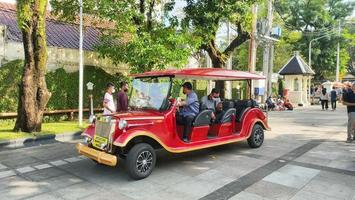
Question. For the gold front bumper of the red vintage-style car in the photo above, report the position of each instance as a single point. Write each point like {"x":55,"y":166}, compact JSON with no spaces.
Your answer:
{"x":99,"y":156}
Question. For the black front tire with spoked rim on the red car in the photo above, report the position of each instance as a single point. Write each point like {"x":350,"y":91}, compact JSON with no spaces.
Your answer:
{"x":140,"y":161}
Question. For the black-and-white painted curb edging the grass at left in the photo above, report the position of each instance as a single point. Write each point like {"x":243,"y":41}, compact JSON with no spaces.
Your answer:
{"x":40,"y":140}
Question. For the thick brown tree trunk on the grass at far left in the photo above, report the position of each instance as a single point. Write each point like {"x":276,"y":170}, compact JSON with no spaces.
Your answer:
{"x":33,"y":91}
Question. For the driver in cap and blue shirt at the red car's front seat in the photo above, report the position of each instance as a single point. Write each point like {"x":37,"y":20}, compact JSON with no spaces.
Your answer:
{"x":189,"y":111}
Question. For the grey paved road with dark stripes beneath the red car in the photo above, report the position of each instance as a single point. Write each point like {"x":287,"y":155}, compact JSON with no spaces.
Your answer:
{"x":303,"y":157}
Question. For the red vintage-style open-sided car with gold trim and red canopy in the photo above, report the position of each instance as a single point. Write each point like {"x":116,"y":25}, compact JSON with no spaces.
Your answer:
{"x":151,"y":122}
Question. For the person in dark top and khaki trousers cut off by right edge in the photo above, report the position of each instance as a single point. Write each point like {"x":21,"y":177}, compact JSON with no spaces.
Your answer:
{"x":349,"y":101}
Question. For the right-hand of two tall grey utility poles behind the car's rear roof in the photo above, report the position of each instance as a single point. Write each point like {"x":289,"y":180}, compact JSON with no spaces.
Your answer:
{"x":267,"y":49}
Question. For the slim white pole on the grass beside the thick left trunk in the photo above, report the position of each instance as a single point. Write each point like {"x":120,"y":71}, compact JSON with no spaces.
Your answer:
{"x":81,"y":66}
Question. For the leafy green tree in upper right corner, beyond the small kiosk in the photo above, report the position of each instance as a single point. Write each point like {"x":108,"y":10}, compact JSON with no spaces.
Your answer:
{"x":313,"y":19}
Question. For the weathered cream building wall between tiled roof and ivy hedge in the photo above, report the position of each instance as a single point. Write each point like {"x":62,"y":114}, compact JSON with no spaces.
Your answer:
{"x":58,"y":57}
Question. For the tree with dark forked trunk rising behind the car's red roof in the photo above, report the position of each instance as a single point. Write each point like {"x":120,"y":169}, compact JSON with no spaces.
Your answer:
{"x":204,"y":18}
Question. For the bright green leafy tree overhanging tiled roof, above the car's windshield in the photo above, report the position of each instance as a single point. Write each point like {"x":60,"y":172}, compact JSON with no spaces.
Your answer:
{"x":144,"y":33}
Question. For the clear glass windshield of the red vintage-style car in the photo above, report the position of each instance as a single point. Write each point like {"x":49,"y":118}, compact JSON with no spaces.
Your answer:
{"x":149,"y":93}
